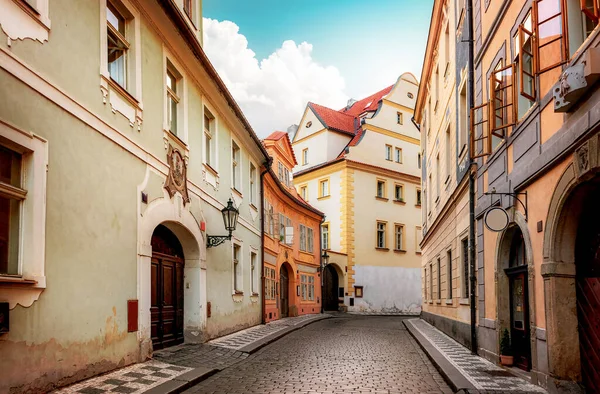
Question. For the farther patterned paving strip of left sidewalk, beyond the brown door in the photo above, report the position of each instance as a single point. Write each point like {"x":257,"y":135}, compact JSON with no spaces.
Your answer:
{"x":245,"y":337}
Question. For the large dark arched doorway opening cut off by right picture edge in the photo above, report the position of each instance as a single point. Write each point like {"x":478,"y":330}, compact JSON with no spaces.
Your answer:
{"x":587,"y":265}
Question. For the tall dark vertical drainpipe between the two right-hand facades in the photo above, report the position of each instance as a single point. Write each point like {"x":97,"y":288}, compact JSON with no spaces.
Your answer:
{"x":472,"y":173}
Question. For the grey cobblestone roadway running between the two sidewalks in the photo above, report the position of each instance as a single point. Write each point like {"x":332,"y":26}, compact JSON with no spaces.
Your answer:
{"x":351,"y":354}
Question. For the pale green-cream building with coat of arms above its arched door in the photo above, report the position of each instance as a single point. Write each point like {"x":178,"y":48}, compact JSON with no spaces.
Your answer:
{"x":120,"y":145}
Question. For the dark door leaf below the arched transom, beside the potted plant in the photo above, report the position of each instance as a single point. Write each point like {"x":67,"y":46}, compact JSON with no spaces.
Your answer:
{"x":519,"y":318}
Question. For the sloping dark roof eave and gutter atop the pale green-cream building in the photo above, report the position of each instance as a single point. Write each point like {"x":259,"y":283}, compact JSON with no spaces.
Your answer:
{"x":176,"y":16}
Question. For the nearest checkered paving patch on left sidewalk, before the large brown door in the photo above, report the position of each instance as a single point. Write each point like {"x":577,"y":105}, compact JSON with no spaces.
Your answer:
{"x":134,"y":379}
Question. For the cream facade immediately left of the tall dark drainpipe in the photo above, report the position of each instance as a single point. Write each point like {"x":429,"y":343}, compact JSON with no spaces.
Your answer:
{"x":442,"y":113}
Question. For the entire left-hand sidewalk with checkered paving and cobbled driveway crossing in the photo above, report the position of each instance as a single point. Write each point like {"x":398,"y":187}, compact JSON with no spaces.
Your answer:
{"x":174,"y":369}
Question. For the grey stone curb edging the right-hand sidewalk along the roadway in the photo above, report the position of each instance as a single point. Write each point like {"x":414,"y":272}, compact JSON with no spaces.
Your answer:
{"x":455,"y":379}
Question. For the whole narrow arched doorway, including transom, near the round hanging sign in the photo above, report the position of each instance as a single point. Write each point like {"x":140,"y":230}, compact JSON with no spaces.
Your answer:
{"x":518,"y":290}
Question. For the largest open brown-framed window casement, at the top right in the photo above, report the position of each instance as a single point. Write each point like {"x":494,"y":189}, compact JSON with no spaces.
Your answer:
{"x":549,"y":28}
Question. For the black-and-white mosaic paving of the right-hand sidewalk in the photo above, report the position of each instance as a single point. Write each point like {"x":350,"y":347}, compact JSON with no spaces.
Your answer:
{"x":484,"y":375}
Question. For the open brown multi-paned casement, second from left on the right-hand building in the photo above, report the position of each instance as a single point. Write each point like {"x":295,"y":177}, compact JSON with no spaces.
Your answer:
{"x":502,"y":100}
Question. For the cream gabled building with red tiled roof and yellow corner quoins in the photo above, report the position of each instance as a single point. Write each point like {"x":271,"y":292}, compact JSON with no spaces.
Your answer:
{"x":360,"y":166}
